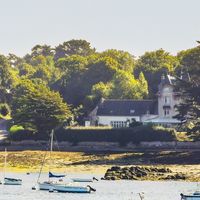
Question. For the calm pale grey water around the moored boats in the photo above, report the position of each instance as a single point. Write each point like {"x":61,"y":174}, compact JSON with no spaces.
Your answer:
{"x":106,"y":190}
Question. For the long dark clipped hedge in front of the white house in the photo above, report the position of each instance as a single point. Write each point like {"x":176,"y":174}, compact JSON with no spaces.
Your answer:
{"x":122,"y":136}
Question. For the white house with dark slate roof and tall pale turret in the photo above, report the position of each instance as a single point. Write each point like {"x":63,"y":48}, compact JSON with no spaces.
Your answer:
{"x":119,"y":113}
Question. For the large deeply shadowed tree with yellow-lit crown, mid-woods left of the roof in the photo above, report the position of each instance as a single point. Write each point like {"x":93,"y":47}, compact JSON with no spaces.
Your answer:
{"x":79,"y":77}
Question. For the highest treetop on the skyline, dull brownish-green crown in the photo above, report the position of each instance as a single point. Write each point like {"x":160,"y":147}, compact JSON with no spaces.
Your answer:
{"x":73,"y":47}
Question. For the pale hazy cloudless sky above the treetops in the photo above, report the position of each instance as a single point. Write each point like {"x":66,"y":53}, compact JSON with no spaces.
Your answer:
{"x":132,"y":25}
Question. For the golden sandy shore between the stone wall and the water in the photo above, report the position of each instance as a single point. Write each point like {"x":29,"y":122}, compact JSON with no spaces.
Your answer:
{"x":97,"y":163}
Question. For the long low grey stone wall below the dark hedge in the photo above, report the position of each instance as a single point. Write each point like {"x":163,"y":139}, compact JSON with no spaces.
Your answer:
{"x":100,"y":146}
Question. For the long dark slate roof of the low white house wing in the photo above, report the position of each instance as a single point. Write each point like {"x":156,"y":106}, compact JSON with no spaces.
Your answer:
{"x":116,"y":107}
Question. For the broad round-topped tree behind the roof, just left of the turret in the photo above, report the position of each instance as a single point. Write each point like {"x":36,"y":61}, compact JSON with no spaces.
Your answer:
{"x":153,"y":65}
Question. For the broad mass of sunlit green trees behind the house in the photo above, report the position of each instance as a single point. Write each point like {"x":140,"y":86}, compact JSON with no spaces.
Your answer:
{"x":49,"y":79}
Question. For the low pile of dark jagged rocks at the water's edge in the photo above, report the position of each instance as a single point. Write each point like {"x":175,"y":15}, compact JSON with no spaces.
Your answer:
{"x":142,"y":173}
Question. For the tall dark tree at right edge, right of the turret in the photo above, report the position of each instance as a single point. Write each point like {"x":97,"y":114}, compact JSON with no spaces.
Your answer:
{"x":189,"y":88}
